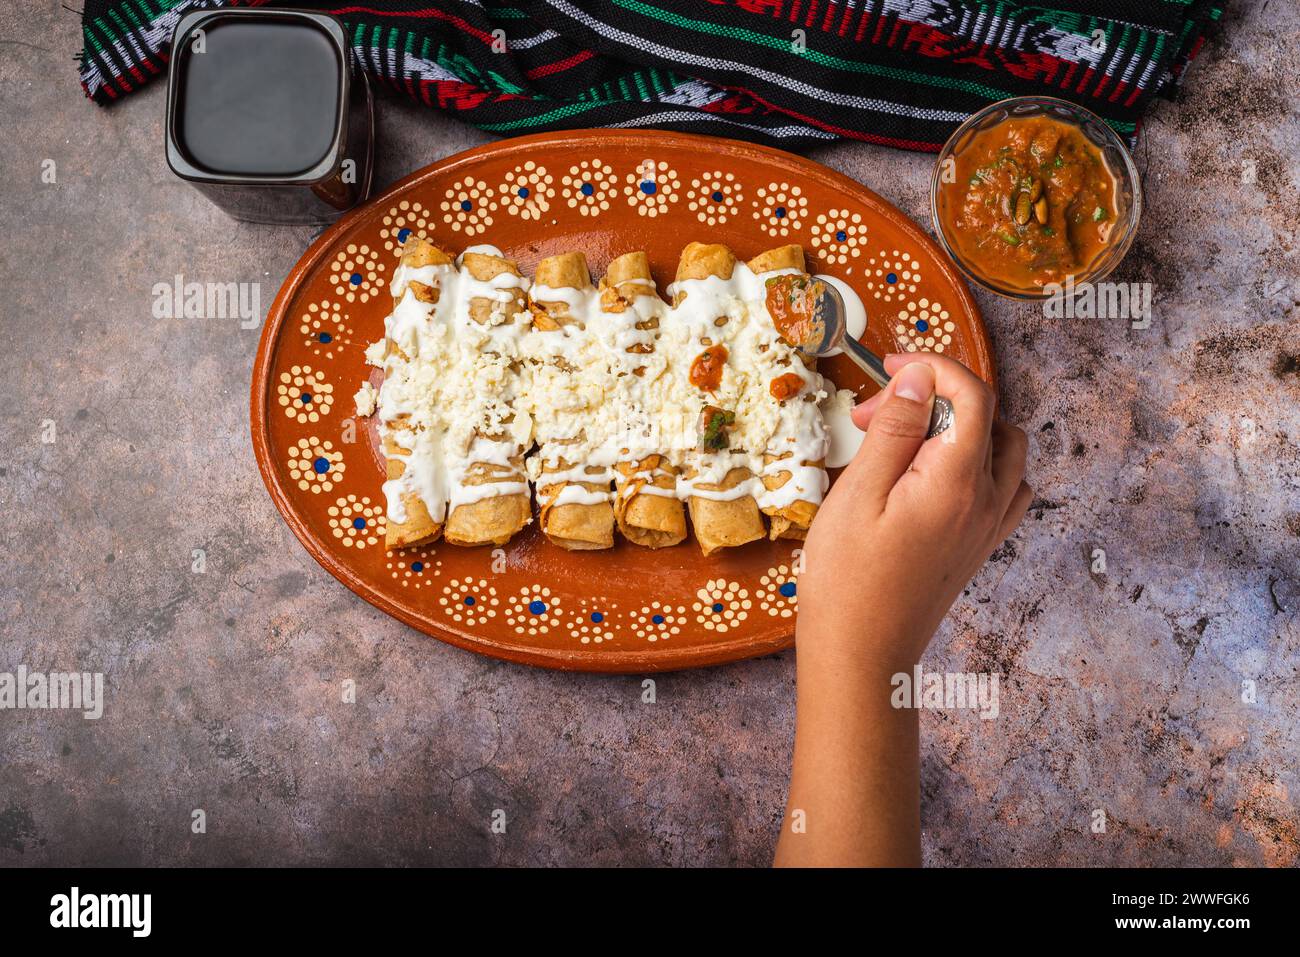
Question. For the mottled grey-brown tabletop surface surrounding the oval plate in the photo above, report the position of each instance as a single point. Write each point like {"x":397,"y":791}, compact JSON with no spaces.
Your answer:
{"x":1175,"y":449}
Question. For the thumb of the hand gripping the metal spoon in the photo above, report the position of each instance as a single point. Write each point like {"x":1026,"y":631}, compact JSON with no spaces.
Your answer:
{"x":899,"y":426}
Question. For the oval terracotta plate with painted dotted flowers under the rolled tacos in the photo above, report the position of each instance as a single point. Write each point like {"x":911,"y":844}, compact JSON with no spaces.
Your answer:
{"x":604,"y":193}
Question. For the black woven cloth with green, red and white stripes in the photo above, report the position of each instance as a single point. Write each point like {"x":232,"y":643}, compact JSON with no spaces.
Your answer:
{"x":904,"y":73}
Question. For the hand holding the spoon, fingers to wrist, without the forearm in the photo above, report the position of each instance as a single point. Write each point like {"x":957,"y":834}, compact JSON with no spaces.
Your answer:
{"x":911,"y":521}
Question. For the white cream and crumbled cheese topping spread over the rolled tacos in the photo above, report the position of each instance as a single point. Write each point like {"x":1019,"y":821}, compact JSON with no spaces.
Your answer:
{"x":584,"y":400}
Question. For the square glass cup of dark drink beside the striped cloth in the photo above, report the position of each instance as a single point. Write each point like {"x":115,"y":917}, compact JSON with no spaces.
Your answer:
{"x":267,"y":118}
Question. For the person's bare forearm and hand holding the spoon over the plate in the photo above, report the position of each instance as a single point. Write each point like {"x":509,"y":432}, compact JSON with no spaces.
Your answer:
{"x":907,"y":526}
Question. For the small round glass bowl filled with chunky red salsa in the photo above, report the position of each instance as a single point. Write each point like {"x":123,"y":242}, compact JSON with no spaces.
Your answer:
{"x":1035,"y":194}
